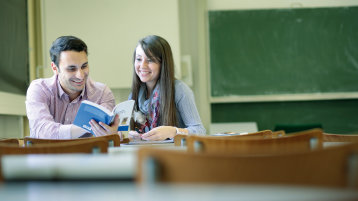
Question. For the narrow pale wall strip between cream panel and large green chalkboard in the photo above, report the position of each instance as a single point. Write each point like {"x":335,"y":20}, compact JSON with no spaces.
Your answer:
{"x":193,"y":40}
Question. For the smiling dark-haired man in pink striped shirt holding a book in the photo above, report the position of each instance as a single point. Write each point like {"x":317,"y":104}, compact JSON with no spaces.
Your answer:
{"x":52,"y":103}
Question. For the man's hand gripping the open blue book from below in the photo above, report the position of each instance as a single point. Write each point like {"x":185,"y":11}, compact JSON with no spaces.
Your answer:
{"x":100,"y":129}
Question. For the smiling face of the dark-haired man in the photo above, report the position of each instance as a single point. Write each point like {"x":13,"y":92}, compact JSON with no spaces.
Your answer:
{"x":72,"y":72}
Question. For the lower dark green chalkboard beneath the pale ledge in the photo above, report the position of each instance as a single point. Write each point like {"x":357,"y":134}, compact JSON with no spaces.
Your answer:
{"x":334,"y":116}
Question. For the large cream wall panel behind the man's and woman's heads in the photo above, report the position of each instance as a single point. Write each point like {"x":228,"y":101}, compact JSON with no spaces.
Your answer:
{"x":111,"y":29}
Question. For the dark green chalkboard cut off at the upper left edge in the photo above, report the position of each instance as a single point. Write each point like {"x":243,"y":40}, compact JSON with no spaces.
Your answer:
{"x":14,"y":46}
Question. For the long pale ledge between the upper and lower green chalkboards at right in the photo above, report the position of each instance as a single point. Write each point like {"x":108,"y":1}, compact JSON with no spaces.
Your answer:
{"x":285,"y":97}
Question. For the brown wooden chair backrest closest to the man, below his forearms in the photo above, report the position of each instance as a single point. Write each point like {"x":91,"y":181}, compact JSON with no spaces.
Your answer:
{"x":113,"y":140}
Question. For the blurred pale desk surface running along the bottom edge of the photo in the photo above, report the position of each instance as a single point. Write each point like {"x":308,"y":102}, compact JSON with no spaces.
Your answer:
{"x":128,"y":191}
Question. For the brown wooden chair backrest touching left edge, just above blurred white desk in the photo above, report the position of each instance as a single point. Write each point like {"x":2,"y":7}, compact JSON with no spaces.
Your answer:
{"x":86,"y":146}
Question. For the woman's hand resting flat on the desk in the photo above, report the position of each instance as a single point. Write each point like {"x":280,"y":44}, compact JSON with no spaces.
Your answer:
{"x":160,"y":133}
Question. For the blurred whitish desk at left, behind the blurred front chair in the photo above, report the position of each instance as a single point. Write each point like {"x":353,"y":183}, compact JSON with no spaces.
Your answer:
{"x":119,"y":164}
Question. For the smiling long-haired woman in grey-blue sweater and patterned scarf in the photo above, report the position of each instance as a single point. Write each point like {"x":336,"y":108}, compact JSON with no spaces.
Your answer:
{"x":164,"y":106}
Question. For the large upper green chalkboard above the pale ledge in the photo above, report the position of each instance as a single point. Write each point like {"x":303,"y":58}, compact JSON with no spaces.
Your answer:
{"x":283,"y":51}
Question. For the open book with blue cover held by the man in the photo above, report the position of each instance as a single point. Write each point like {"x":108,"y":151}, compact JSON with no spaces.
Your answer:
{"x":89,"y":110}
